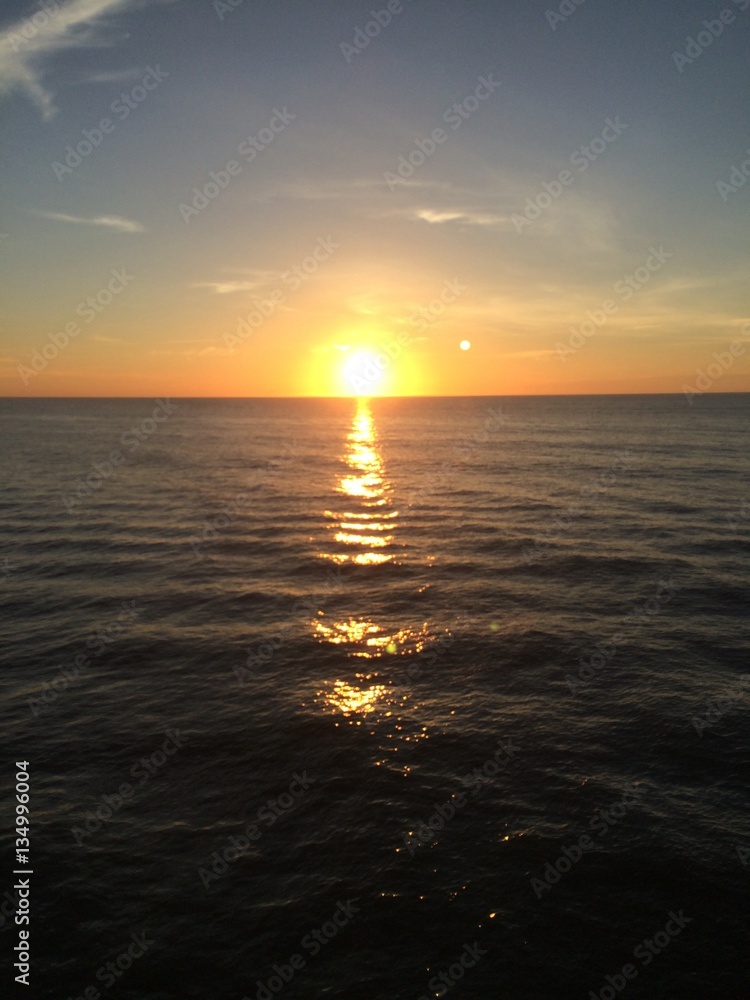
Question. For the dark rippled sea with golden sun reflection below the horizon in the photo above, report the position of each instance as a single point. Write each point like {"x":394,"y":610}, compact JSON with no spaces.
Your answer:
{"x":339,"y":615}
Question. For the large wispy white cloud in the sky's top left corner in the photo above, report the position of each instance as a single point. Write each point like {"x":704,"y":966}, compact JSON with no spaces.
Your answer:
{"x":73,"y":25}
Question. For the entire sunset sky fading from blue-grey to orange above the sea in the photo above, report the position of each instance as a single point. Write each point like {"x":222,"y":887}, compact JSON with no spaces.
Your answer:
{"x":218,"y":74}
